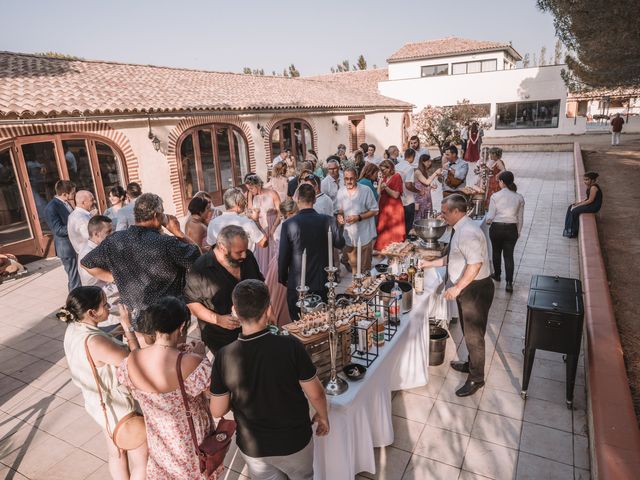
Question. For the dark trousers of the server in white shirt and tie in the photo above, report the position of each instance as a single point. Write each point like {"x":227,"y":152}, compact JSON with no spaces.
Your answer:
{"x":473,"y":309}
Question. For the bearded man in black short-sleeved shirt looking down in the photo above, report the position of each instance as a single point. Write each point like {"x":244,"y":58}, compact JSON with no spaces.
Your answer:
{"x":211,"y":281}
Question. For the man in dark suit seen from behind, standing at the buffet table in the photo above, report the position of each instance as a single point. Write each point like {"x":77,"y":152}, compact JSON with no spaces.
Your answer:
{"x":306,"y":231}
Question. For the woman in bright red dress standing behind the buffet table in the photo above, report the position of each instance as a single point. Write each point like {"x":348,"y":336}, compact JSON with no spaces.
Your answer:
{"x":390,"y":226}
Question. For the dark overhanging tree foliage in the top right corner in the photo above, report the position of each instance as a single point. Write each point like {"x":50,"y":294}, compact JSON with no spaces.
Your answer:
{"x":602,"y":39}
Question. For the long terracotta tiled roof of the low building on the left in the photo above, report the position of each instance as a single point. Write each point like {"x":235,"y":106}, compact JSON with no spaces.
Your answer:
{"x":35,"y":85}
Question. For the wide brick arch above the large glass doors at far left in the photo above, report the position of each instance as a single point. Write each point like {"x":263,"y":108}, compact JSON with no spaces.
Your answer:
{"x":101,"y":129}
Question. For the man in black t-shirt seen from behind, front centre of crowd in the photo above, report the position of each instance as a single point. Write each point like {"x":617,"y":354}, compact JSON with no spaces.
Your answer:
{"x":264,"y":378}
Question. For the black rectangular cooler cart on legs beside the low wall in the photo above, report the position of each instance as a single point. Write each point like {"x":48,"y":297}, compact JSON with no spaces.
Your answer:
{"x":555,"y":314}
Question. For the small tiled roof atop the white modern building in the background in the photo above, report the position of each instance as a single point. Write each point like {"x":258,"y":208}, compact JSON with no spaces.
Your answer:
{"x":444,"y":47}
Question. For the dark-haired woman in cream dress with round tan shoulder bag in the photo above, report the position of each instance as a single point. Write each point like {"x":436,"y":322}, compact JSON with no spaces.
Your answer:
{"x":92,"y":356}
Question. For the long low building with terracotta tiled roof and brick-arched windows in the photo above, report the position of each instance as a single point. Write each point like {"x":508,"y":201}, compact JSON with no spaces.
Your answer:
{"x":176,"y":131}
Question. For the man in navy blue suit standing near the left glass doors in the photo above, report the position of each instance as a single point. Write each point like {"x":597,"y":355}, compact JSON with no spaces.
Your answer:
{"x":56,"y":215}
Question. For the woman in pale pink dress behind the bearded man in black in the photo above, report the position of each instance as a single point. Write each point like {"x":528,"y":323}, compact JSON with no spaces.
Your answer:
{"x":263,"y":203}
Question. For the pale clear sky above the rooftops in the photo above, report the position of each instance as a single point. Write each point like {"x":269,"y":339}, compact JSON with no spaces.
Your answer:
{"x":229,"y":35}
